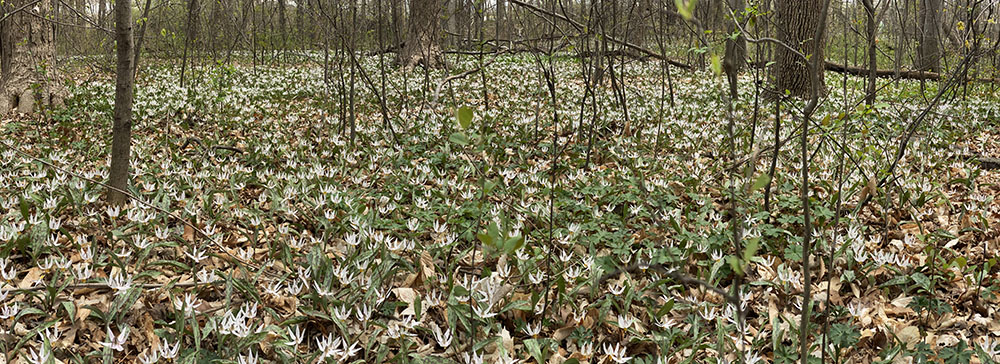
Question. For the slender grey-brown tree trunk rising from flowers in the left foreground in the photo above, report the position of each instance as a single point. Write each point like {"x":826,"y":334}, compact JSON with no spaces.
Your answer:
{"x":122,"y":129}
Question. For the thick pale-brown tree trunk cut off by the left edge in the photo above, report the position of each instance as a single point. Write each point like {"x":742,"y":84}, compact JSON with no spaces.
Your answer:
{"x":27,"y":58}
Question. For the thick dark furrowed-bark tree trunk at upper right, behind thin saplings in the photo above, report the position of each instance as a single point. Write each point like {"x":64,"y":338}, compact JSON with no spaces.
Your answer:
{"x":797,"y":23}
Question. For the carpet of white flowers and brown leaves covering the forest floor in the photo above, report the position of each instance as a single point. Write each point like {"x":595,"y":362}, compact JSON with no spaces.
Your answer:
{"x":414,"y":244}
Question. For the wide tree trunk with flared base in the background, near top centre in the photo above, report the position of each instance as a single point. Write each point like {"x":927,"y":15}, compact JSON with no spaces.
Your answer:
{"x":422,"y":43}
